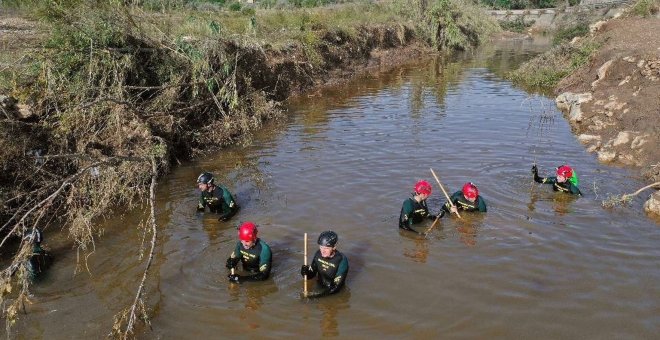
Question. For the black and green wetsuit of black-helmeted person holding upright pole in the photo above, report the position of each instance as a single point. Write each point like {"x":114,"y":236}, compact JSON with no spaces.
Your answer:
{"x":331,"y":272}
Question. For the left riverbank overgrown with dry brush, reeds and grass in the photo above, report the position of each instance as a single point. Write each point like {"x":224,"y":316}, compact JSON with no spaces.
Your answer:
{"x":106,"y":92}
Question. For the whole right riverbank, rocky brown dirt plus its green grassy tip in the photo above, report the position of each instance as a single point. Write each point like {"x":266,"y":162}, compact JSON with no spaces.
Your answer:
{"x":606,"y":83}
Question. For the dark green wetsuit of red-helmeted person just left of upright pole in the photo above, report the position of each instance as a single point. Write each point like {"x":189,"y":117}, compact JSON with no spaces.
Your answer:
{"x":256,"y":260}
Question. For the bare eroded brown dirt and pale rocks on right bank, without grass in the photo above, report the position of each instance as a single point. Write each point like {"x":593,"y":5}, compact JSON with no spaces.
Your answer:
{"x":613,"y":103}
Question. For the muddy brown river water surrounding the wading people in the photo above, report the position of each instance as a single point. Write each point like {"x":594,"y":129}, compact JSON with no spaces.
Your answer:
{"x":537,"y":265}
